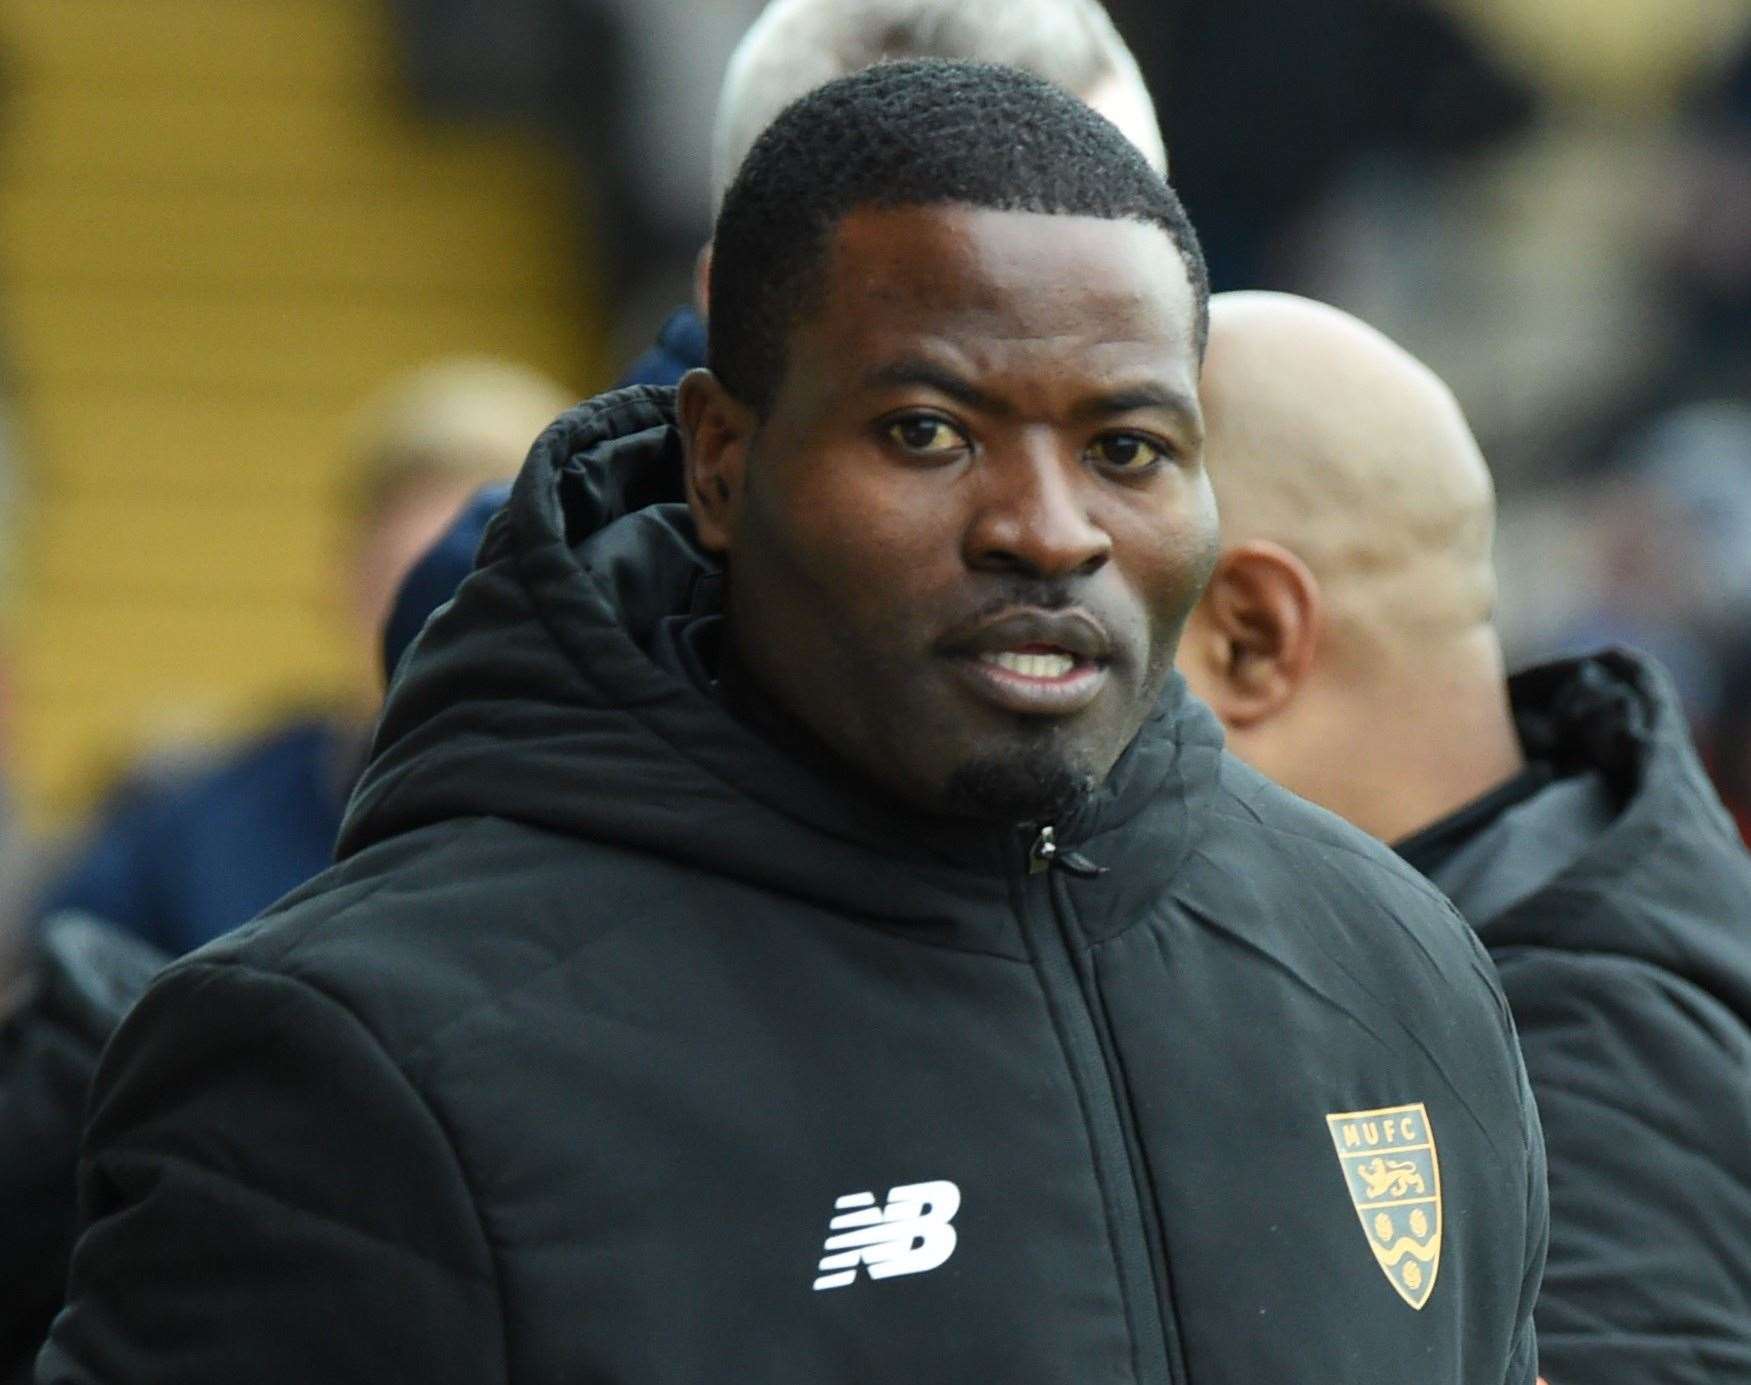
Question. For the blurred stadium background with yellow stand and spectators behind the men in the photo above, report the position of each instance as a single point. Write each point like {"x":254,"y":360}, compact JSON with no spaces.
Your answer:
{"x":283,"y":281}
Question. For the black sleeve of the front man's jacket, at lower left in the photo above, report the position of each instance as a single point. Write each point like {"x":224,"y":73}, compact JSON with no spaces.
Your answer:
{"x":265,"y":1197}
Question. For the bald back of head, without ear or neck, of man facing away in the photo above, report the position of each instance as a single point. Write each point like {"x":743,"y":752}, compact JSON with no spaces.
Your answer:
{"x":1337,"y":444}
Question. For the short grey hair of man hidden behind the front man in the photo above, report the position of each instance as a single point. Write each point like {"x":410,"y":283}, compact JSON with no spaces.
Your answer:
{"x":801,"y":45}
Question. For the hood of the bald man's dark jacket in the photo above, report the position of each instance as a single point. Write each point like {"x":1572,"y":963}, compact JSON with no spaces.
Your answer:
{"x":1668,"y":882}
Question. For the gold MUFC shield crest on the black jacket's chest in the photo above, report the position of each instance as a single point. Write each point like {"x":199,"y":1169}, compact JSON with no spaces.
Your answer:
{"x":1395,"y":1179}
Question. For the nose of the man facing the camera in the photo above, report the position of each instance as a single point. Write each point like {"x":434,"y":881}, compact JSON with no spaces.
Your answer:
{"x":1032,"y":516}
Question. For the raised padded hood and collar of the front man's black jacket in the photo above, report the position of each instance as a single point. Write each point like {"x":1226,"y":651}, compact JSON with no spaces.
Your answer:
{"x":535,"y":698}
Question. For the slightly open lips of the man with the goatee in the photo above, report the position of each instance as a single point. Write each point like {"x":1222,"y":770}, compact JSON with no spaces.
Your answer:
{"x":1034,"y":663}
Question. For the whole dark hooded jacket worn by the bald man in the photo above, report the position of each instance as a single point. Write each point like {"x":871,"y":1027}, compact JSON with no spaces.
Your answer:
{"x":1615,"y":896}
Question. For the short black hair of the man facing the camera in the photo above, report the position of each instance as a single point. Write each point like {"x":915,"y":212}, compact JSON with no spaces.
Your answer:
{"x":915,"y":134}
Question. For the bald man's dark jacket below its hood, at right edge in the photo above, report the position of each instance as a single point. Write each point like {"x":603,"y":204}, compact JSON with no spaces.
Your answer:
{"x":1645,"y":1092}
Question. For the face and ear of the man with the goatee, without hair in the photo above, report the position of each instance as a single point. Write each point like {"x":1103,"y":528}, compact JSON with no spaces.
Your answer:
{"x":966,"y":538}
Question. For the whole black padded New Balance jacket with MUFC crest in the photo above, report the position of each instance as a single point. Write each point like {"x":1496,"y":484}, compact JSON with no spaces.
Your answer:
{"x":626,"y":1048}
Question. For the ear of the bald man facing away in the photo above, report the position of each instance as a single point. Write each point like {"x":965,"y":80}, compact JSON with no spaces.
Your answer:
{"x":1249,"y":645}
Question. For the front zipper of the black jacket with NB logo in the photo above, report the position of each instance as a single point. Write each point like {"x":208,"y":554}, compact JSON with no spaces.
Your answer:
{"x":1067,"y":987}
